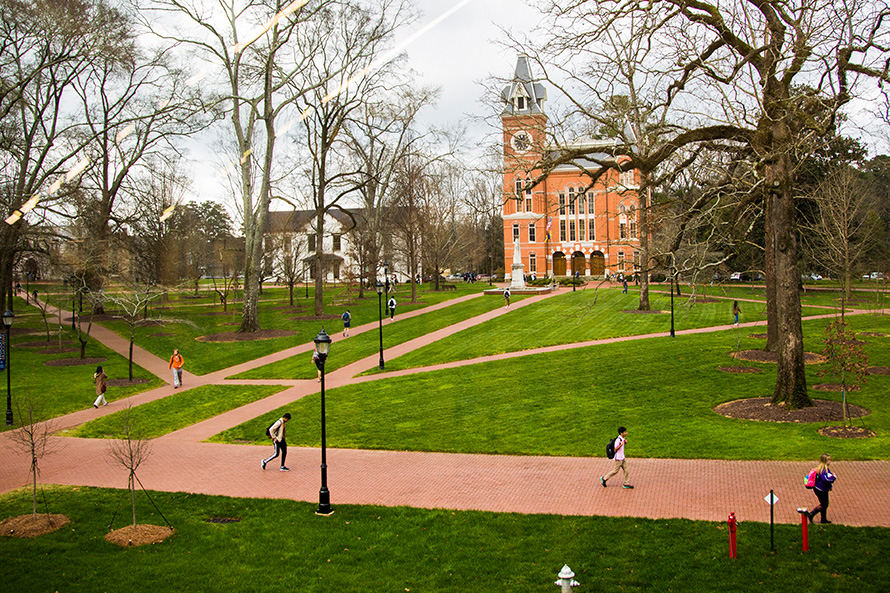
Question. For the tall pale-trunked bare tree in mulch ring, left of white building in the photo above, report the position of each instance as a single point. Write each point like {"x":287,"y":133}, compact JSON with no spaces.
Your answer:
{"x":265,"y":76}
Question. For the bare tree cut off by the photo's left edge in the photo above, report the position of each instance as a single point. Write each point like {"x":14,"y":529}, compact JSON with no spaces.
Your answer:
{"x":46,"y":50}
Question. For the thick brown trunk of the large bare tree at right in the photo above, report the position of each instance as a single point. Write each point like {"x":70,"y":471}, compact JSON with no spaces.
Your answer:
{"x":791,"y":384}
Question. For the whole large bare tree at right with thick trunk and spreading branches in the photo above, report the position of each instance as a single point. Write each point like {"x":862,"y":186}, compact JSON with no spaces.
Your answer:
{"x":766,"y":76}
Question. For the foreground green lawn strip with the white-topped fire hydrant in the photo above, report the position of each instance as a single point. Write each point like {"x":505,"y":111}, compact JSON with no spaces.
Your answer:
{"x":282,"y":546}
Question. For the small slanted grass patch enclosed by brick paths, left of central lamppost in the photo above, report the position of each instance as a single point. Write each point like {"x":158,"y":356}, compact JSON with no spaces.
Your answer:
{"x":176,"y":411}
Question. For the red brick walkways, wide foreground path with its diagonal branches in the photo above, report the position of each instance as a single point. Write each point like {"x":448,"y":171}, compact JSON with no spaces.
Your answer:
{"x":665,"y":488}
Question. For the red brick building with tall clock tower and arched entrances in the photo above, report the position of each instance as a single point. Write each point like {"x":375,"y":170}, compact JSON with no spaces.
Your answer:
{"x":562,"y":225}
